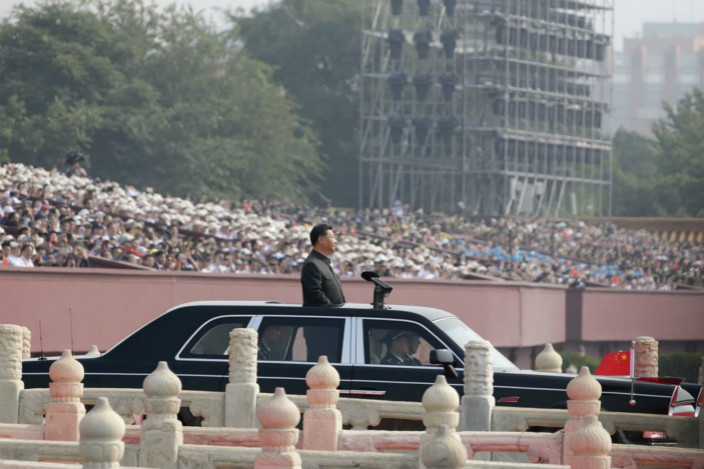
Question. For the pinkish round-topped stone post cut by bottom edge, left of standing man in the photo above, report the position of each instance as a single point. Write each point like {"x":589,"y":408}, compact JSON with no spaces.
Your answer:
{"x":278,"y":434}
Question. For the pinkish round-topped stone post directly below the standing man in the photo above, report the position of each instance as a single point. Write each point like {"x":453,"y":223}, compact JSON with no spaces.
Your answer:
{"x":322,"y":421}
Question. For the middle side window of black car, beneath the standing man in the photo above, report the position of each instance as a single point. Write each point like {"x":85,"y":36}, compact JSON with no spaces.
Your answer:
{"x":300,"y":339}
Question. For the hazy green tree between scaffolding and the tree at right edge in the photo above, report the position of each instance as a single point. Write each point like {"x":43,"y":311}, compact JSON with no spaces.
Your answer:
{"x":635,"y":174}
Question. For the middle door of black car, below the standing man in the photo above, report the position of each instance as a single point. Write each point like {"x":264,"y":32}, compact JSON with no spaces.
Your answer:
{"x":289,"y":346}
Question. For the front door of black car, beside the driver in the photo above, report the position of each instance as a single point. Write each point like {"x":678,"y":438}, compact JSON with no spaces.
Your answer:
{"x":385,"y":370}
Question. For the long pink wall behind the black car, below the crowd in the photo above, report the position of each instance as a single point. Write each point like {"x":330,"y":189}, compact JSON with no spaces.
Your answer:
{"x":105,"y":305}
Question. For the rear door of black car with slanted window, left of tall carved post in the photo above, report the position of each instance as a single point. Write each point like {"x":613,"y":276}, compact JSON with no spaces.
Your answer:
{"x":203,"y":361}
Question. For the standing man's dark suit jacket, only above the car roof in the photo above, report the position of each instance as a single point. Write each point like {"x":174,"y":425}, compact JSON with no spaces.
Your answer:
{"x":321,"y":287}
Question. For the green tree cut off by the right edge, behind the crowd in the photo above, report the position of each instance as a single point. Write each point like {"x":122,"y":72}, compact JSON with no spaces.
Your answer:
{"x":680,"y":148}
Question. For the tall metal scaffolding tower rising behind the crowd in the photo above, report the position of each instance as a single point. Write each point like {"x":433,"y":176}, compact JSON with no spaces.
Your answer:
{"x":486,"y":107}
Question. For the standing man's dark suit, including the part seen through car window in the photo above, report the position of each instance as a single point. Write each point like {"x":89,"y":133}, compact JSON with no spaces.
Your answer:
{"x":321,"y":287}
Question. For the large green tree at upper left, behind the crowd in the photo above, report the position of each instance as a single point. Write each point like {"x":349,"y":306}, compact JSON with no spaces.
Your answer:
{"x":154,"y":97}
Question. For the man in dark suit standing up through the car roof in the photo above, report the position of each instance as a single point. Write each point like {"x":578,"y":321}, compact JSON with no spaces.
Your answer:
{"x":321,"y":286}
